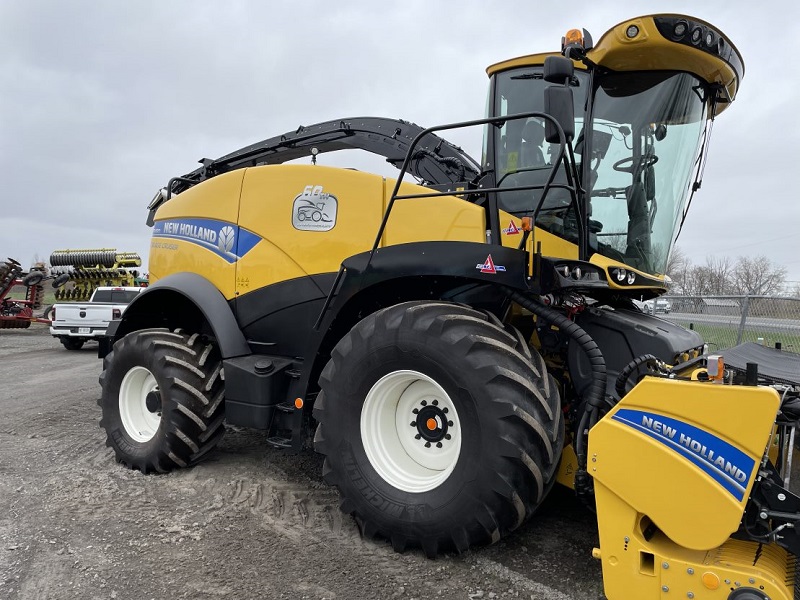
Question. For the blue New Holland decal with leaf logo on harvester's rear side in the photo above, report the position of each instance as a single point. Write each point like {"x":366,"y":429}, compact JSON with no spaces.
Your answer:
{"x":226,"y":240}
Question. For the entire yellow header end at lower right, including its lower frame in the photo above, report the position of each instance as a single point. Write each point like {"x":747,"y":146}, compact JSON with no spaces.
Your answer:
{"x":664,"y":512}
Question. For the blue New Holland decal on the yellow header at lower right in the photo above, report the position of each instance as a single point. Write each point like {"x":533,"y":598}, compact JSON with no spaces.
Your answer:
{"x":726,"y":464}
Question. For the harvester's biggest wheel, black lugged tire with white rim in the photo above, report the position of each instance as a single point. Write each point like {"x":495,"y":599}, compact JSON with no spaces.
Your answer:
{"x":436,"y":430}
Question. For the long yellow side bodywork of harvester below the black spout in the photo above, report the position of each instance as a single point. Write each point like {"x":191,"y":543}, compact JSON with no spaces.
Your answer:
{"x":290,"y":221}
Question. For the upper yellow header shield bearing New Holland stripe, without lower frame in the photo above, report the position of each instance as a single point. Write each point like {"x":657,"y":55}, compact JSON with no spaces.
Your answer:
{"x":702,"y":513}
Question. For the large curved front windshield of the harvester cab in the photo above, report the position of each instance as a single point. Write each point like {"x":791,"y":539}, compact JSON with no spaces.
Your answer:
{"x":645,"y":136}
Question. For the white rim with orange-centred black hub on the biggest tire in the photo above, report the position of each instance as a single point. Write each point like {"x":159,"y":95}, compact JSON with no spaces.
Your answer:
{"x":410,"y":431}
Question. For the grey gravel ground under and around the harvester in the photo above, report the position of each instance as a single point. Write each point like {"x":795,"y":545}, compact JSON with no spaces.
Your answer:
{"x":250,"y":522}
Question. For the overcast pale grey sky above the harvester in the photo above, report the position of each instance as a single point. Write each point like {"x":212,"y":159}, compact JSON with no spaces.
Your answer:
{"x":101,"y":103}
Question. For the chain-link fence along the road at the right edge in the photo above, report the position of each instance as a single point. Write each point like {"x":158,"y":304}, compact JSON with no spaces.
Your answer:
{"x":726,"y":321}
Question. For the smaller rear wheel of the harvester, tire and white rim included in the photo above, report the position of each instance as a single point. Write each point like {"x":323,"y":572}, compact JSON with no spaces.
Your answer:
{"x":162,"y":399}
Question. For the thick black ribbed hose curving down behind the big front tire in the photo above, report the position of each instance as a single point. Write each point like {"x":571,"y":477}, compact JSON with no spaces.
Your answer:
{"x":594,"y":398}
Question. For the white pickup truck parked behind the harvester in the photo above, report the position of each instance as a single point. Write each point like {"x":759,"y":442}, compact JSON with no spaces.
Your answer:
{"x":75,"y":323}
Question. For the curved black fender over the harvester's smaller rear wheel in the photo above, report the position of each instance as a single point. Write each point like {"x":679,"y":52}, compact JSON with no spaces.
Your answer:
{"x":186,"y":300}
